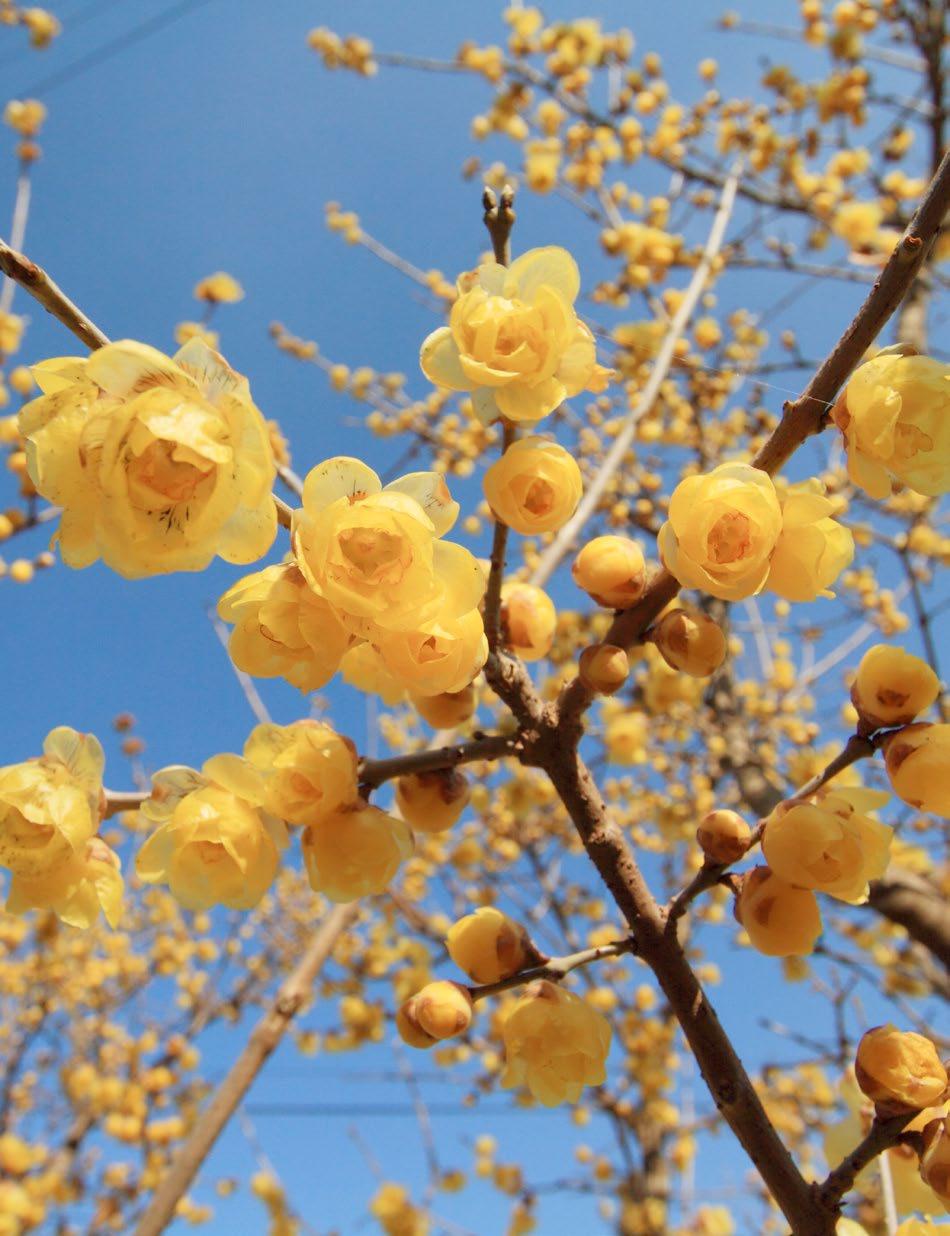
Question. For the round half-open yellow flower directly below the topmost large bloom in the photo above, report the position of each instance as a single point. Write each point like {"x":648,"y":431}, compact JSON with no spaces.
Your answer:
{"x":534,"y":488}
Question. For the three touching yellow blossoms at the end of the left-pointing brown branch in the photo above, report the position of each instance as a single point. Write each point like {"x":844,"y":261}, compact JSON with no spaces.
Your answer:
{"x":222,"y":831}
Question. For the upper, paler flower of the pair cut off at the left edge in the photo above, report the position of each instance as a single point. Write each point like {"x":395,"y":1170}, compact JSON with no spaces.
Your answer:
{"x":50,"y":806}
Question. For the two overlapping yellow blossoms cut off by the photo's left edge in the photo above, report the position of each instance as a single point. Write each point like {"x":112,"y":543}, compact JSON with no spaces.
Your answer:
{"x":50,"y":813}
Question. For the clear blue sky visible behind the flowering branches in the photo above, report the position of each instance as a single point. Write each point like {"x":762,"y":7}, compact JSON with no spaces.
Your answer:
{"x":213,"y":145}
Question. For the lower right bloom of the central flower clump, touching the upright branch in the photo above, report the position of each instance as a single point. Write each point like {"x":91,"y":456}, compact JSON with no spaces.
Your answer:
{"x":443,"y":657}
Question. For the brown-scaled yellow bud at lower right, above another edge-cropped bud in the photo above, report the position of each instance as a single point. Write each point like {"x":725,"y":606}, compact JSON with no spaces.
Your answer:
{"x":900,"y":1071}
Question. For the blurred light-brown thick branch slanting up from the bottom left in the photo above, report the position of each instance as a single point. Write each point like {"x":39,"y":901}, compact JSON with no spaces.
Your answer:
{"x":265,"y":1038}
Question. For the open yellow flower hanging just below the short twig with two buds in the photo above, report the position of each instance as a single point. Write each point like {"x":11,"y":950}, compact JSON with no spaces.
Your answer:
{"x":555,"y":1045}
